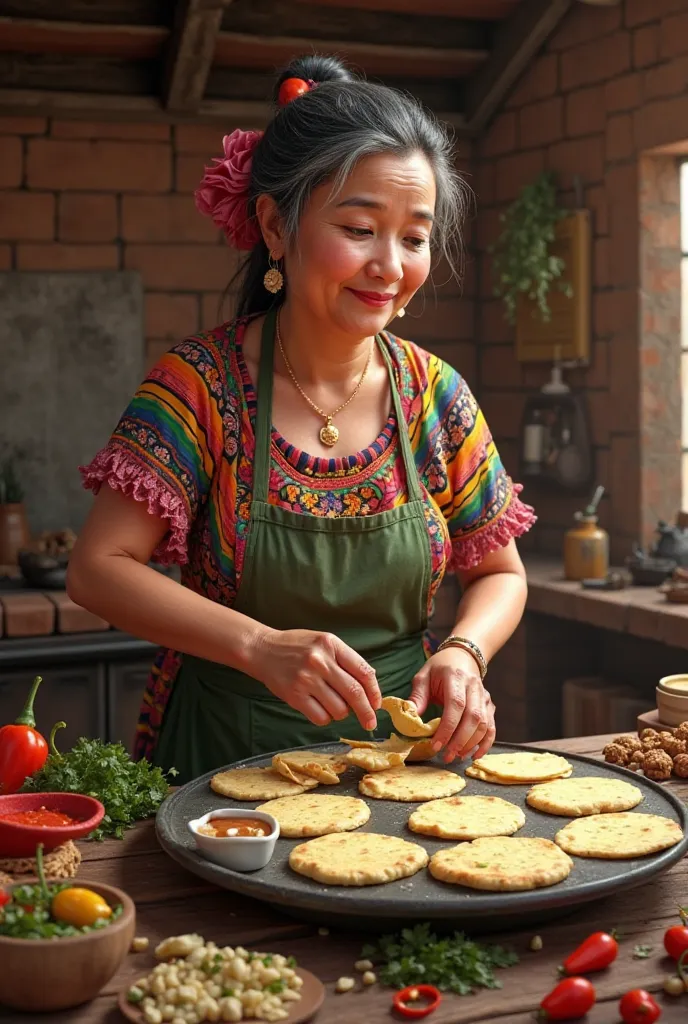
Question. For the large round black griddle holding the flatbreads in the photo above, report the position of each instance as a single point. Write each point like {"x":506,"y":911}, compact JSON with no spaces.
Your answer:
{"x":421,"y":898}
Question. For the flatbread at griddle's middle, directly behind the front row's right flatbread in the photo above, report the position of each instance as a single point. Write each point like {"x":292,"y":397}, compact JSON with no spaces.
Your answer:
{"x":467,"y":818}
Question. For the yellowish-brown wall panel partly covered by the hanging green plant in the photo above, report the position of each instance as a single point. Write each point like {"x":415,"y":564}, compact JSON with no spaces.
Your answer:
{"x":566,"y":336}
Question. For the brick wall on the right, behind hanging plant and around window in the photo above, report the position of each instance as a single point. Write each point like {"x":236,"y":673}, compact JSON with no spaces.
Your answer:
{"x":601,"y":103}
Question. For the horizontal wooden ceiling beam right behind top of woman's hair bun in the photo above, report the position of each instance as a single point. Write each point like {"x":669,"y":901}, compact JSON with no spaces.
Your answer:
{"x":236,"y":50}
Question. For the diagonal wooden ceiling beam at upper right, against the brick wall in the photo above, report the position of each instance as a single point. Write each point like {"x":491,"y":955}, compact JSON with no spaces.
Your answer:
{"x":518,"y":42}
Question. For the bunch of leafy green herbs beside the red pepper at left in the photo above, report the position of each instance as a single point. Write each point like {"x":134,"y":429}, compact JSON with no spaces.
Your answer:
{"x":128,"y":790}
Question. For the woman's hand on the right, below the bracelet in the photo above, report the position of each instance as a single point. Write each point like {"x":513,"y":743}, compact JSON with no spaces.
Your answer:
{"x":451,"y":678}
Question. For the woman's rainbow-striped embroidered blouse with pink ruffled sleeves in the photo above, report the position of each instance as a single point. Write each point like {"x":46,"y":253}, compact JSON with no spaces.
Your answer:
{"x":186,"y":447}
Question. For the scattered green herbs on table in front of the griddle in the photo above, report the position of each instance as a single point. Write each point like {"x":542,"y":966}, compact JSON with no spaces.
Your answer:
{"x":455,"y":964}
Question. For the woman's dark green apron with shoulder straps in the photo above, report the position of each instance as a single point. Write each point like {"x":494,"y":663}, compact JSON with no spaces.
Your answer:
{"x":365,"y":579}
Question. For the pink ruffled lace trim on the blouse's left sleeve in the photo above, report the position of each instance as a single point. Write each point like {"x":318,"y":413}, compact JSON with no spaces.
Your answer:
{"x":119,"y":468}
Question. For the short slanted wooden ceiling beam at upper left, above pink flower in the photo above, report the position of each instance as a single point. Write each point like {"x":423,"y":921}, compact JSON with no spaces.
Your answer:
{"x":191,"y":54}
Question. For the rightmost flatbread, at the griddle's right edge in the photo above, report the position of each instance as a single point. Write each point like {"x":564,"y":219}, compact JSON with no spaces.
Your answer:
{"x":619,"y":837}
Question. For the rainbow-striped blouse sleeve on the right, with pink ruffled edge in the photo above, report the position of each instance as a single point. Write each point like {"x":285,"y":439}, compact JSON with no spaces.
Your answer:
{"x":479,"y":499}
